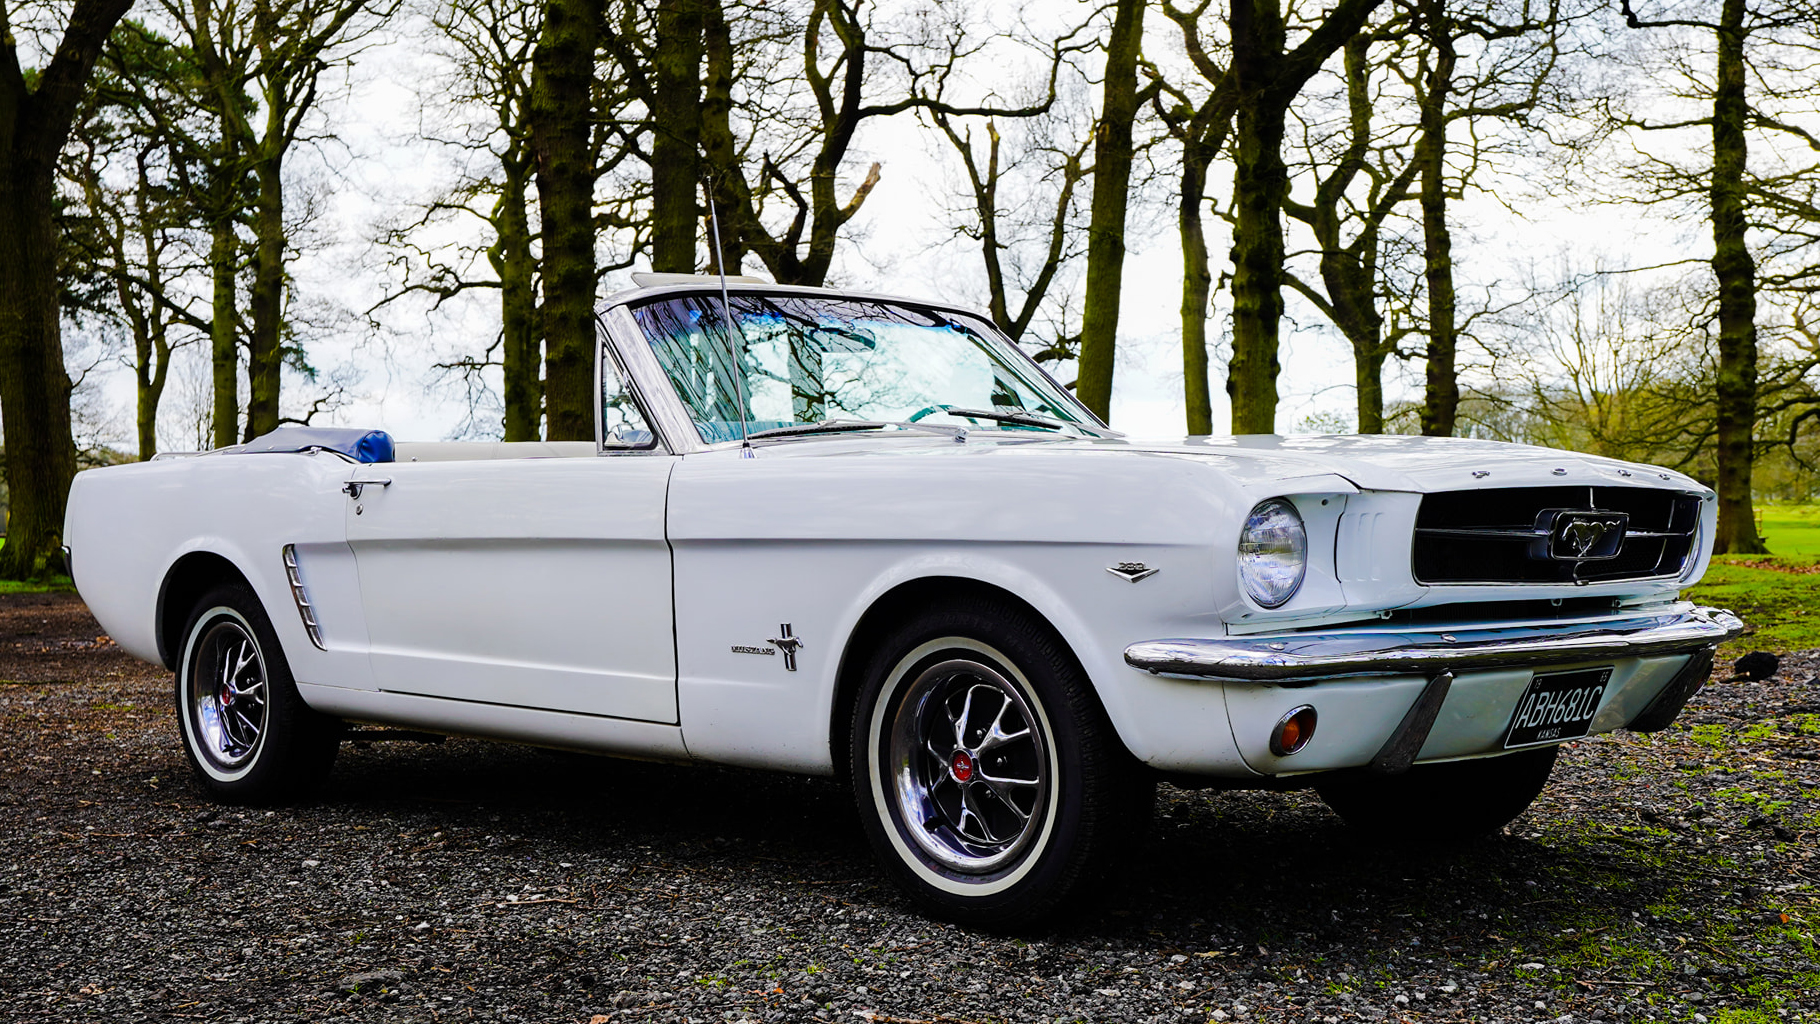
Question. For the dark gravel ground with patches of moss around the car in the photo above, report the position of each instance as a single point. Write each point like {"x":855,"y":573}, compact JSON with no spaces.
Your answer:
{"x":1659,"y":879}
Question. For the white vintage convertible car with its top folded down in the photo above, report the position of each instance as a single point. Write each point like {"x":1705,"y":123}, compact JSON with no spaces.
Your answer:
{"x":880,"y":543}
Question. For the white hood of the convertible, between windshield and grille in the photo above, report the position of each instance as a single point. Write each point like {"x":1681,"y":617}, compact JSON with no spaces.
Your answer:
{"x":1373,"y":463}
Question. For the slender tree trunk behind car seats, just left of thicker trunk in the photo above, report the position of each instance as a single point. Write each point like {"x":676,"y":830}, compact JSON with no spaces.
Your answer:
{"x":518,"y":308}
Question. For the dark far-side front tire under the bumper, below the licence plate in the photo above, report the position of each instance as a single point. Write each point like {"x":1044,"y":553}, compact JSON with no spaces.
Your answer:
{"x":1442,"y":803}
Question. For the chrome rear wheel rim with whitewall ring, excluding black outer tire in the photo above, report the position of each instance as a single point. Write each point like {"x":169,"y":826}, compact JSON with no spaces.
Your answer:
{"x":230,"y":701}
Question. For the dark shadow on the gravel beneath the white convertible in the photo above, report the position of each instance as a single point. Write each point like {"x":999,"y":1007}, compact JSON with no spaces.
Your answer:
{"x":1257,"y":868}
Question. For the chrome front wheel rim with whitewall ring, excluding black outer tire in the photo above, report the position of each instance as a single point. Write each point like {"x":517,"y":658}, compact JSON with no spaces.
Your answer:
{"x":969,"y":767}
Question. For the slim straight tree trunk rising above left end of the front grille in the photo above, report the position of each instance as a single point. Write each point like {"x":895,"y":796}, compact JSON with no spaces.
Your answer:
{"x":1442,"y":394}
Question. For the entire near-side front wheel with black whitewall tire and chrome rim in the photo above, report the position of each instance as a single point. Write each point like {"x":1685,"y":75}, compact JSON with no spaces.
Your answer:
{"x":987,"y":776}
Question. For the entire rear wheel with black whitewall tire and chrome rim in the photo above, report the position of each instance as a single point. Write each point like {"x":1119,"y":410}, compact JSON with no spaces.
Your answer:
{"x":248,"y":736}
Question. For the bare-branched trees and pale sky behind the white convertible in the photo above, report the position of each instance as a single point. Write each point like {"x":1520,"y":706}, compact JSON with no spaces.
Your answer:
{"x":1564,"y":223}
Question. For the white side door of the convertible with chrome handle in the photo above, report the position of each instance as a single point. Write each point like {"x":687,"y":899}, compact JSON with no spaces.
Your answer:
{"x":531,"y":583}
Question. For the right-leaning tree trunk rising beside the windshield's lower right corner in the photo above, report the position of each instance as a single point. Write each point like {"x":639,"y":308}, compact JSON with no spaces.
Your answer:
{"x":1106,"y":230}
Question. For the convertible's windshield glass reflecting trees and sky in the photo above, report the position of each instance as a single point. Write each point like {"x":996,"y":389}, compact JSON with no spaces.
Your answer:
{"x":811,"y":359}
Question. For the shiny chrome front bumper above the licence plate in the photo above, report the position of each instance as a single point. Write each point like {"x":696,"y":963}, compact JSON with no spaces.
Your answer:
{"x":1309,"y":658}
